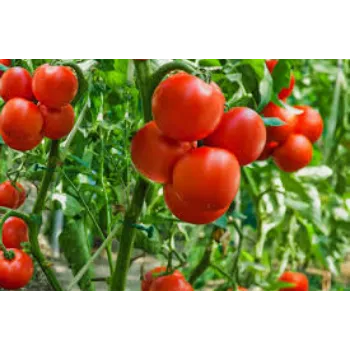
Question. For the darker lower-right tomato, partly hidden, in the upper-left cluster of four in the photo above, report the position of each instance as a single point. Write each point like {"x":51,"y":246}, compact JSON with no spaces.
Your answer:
{"x":58,"y":122}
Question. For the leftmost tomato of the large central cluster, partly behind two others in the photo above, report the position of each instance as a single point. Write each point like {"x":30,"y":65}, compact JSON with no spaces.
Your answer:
{"x":155,"y":155}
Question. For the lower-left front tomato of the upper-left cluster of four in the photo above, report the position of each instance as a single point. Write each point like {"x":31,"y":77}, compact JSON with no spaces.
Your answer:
{"x":21,"y":119}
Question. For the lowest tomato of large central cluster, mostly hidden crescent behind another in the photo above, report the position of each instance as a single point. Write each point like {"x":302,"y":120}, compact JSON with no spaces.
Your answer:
{"x":187,"y":212}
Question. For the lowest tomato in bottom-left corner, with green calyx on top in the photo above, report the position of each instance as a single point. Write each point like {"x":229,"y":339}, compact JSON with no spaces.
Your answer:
{"x":16,"y":273}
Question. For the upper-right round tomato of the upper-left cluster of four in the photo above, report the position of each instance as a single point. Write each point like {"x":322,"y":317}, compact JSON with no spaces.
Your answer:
{"x":54,"y":86}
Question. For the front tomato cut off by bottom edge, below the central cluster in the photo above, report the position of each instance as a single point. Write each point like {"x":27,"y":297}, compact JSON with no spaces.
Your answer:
{"x":171,"y":284}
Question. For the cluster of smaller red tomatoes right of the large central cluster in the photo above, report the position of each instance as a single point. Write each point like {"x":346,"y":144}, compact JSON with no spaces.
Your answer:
{"x":290,"y":145}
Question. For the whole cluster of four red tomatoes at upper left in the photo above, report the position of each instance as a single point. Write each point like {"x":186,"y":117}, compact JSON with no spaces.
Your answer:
{"x":36,"y":106}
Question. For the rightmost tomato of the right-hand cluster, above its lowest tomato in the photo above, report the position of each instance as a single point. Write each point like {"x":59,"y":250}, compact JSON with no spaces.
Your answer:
{"x":309,"y":124}
